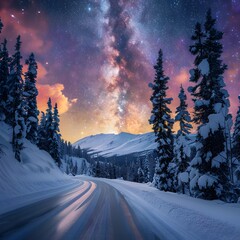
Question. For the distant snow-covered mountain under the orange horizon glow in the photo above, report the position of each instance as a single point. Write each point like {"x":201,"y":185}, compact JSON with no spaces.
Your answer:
{"x":108,"y":145}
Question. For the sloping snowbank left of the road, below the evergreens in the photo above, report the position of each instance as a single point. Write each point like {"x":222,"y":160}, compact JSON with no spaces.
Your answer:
{"x":36,"y":177}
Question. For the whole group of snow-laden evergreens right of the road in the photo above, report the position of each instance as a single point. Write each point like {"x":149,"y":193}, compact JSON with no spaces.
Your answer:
{"x":213,"y":171}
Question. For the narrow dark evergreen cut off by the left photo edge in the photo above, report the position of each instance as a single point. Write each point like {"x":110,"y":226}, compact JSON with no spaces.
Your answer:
{"x":4,"y":73}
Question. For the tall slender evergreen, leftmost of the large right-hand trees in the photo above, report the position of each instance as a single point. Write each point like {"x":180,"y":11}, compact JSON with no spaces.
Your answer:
{"x":162,"y":126}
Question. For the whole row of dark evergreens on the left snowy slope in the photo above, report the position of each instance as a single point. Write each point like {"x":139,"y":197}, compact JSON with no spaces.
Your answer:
{"x":18,"y":106}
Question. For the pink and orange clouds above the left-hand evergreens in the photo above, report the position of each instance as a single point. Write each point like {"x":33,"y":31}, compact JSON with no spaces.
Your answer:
{"x":33,"y":39}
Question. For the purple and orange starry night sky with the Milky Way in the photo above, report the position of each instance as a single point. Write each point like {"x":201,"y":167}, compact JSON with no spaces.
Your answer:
{"x":96,"y":57}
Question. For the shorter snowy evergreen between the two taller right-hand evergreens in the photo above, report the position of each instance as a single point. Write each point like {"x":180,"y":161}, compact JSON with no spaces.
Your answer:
{"x":181,"y":146}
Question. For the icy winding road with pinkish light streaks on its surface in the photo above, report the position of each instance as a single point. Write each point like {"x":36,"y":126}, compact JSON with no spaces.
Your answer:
{"x":94,"y":210}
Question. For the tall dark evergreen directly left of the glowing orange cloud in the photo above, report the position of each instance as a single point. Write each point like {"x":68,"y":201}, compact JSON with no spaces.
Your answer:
{"x":30,"y":96}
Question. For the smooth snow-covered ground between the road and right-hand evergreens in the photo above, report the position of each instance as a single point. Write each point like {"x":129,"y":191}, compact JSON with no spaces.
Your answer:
{"x":191,"y":218}
